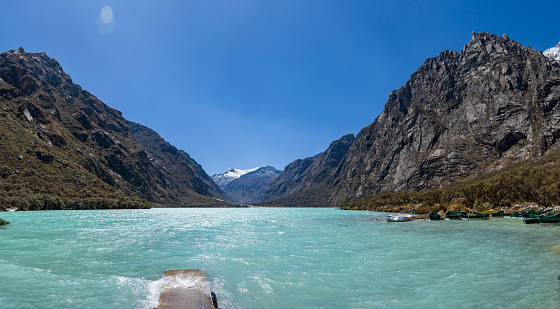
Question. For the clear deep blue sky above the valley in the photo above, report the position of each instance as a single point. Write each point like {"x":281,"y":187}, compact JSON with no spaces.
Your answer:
{"x":254,"y":83}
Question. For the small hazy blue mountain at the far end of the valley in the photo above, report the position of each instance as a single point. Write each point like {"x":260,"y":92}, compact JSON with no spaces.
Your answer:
{"x":250,"y":187}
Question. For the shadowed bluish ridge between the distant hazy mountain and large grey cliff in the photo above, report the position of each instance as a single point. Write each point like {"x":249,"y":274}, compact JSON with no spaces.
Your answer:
{"x":313,"y":172}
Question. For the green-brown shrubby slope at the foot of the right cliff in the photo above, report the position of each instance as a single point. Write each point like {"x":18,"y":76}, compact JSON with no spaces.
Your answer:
{"x":532,"y":181}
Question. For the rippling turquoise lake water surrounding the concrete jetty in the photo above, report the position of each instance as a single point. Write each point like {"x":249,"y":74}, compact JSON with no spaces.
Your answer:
{"x":276,"y":258}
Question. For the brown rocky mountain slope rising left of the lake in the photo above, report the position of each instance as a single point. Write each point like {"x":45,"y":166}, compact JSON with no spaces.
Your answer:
{"x":62,"y":146}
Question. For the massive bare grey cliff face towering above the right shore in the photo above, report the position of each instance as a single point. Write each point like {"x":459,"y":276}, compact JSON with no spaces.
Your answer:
{"x":459,"y":115}
